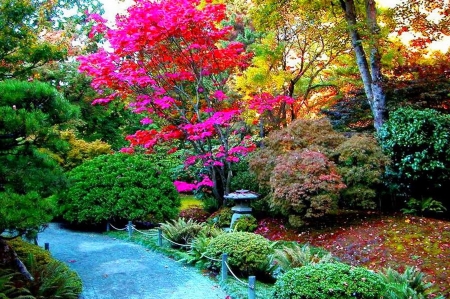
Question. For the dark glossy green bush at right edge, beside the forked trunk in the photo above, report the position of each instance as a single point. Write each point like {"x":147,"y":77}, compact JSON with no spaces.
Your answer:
{"x":418,"y":143}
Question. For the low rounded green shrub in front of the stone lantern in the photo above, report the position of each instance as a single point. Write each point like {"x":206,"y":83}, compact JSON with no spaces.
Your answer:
{"x":248,"y":253}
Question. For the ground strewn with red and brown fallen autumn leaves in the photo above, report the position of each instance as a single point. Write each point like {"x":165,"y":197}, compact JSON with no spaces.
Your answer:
{"x":376,"y":242}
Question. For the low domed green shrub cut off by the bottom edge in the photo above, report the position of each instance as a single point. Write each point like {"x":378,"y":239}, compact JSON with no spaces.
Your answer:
{"x":329,"y":281}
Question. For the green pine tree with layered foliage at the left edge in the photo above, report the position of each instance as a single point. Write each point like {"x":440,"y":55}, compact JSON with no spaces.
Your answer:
{"x":30,"y":115}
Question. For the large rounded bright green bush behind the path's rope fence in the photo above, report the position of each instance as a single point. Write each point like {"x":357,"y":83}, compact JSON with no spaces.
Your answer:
{"x":119,"y":187}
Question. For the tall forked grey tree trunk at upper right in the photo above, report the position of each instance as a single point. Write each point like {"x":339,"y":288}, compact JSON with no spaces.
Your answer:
{"x":370,"y":74}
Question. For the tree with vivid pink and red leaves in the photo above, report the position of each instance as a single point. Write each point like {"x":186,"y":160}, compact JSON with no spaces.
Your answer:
{"x":172,"y":62}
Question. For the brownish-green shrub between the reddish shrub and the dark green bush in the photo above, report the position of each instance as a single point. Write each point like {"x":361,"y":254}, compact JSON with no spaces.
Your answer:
{"x":361,"y":164}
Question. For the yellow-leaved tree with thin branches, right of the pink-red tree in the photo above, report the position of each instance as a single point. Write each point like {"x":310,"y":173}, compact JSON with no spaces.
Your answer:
{"x":300,"y":42}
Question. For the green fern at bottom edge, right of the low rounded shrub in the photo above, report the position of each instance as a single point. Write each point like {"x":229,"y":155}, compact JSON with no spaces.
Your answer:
{"x":409,"y":284}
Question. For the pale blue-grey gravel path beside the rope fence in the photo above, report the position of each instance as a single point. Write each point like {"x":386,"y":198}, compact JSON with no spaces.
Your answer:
{"x":115,"y":269}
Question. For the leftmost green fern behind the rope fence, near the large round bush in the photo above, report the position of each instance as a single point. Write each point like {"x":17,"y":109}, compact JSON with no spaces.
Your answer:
{"x":181,"y":231}
